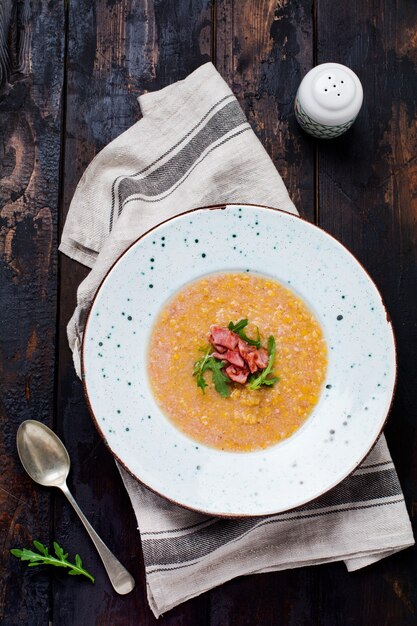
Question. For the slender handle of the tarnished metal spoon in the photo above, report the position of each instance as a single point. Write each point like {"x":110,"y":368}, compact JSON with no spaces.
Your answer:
{"x":120,"y":578}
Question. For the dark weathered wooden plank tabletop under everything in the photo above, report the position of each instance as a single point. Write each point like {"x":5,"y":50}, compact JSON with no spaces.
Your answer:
{"x":70,"y":73}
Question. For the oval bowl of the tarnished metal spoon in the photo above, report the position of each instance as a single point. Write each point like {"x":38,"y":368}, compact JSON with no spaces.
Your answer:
{"x":42,"y":454}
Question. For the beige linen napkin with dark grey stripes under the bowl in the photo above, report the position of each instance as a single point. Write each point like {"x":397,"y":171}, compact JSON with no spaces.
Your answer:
{"x":194,"y":147}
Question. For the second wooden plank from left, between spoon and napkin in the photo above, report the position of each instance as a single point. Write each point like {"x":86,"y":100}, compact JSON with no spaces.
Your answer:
{"x":117,"y":50}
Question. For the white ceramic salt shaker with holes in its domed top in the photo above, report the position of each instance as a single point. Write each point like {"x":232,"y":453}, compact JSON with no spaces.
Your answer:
{"x":328,"y":100}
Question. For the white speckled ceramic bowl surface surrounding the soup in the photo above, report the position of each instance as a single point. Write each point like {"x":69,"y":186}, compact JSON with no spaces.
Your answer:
{"x":361,"y":373}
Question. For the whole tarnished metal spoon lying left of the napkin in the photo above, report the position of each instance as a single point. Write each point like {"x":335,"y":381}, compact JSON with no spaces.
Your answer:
{"x":46,"y":460}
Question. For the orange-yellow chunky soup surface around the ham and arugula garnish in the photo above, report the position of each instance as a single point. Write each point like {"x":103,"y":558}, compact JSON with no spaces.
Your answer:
{"x":248,"y":419}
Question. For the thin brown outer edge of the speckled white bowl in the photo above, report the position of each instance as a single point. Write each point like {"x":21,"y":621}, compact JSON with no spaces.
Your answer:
{"x":222,"y":207}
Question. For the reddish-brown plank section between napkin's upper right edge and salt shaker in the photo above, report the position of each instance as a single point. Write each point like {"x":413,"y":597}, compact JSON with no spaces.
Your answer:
{"x":263,"y":51}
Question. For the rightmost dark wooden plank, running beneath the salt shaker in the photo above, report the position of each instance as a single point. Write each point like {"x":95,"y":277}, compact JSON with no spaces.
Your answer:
{"x":368,"y":200}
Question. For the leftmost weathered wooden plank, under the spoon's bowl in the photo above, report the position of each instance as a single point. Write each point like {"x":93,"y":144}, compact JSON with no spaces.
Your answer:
{"x":31,"y":77}
